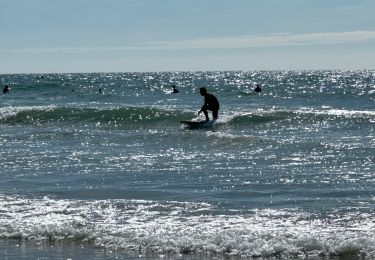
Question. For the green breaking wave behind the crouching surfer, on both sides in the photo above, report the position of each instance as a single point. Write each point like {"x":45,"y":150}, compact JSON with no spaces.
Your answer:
{"x":143,"y":116}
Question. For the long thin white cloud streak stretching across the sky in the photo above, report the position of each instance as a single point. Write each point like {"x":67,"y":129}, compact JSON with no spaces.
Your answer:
{"x":237,"y":42}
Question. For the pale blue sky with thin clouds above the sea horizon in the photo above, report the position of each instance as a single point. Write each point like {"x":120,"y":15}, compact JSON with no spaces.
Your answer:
{"x":66,"y":36}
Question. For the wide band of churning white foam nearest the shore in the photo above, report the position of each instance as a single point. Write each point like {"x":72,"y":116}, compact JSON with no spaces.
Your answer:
{"x":185,"y":227}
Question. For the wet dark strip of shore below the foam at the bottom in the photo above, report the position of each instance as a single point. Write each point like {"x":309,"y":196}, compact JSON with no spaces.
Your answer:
{"x":69,"y":250}
